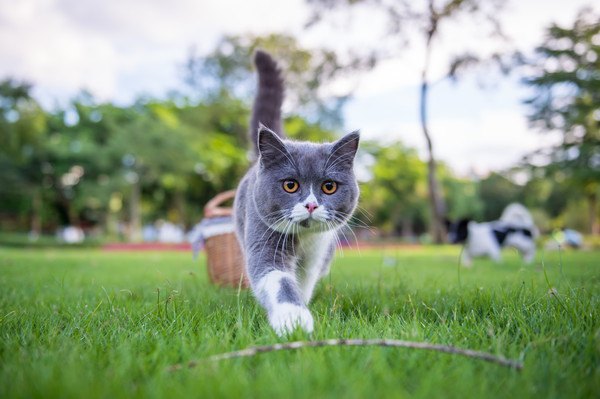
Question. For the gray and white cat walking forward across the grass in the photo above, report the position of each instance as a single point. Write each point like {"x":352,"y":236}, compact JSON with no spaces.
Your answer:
{"x":289,"y":206}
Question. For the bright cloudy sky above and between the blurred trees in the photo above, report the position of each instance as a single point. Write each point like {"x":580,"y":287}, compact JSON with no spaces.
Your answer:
{"x":120,"y":49}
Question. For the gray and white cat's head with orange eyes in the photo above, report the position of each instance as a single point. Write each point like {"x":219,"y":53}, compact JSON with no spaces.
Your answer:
{"x":304,"y":186}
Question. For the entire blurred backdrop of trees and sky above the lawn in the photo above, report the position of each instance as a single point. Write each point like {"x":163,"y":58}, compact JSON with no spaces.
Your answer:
{"x":120,"y":120}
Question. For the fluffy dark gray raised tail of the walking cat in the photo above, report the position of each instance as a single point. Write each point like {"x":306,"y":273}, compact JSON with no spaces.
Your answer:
{"x":268,"y":101}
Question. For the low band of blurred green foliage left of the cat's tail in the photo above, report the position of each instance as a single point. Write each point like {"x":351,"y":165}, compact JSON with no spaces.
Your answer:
{"x":81,"y":157}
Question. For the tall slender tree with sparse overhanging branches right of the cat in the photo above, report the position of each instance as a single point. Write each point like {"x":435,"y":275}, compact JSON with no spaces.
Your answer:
{"x":428,"y":17}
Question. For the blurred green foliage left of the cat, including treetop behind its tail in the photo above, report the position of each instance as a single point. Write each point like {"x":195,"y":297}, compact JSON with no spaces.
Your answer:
{"x":93,"y":164}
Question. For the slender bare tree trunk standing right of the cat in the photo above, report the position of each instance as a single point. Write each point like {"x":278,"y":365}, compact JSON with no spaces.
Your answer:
{"x":436,"y":202}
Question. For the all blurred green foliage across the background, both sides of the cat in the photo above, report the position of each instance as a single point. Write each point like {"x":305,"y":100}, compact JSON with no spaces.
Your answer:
{"x":93,"y":164}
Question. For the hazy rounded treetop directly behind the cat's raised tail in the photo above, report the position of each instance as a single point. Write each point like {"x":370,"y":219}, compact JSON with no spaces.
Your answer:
{"x":228,"y":71}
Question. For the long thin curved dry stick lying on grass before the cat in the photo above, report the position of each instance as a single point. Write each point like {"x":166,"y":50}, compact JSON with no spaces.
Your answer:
{"x":252,"y":351}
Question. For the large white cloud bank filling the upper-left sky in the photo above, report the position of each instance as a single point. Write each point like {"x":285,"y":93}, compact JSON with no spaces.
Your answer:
{"x":117,"y":49}
